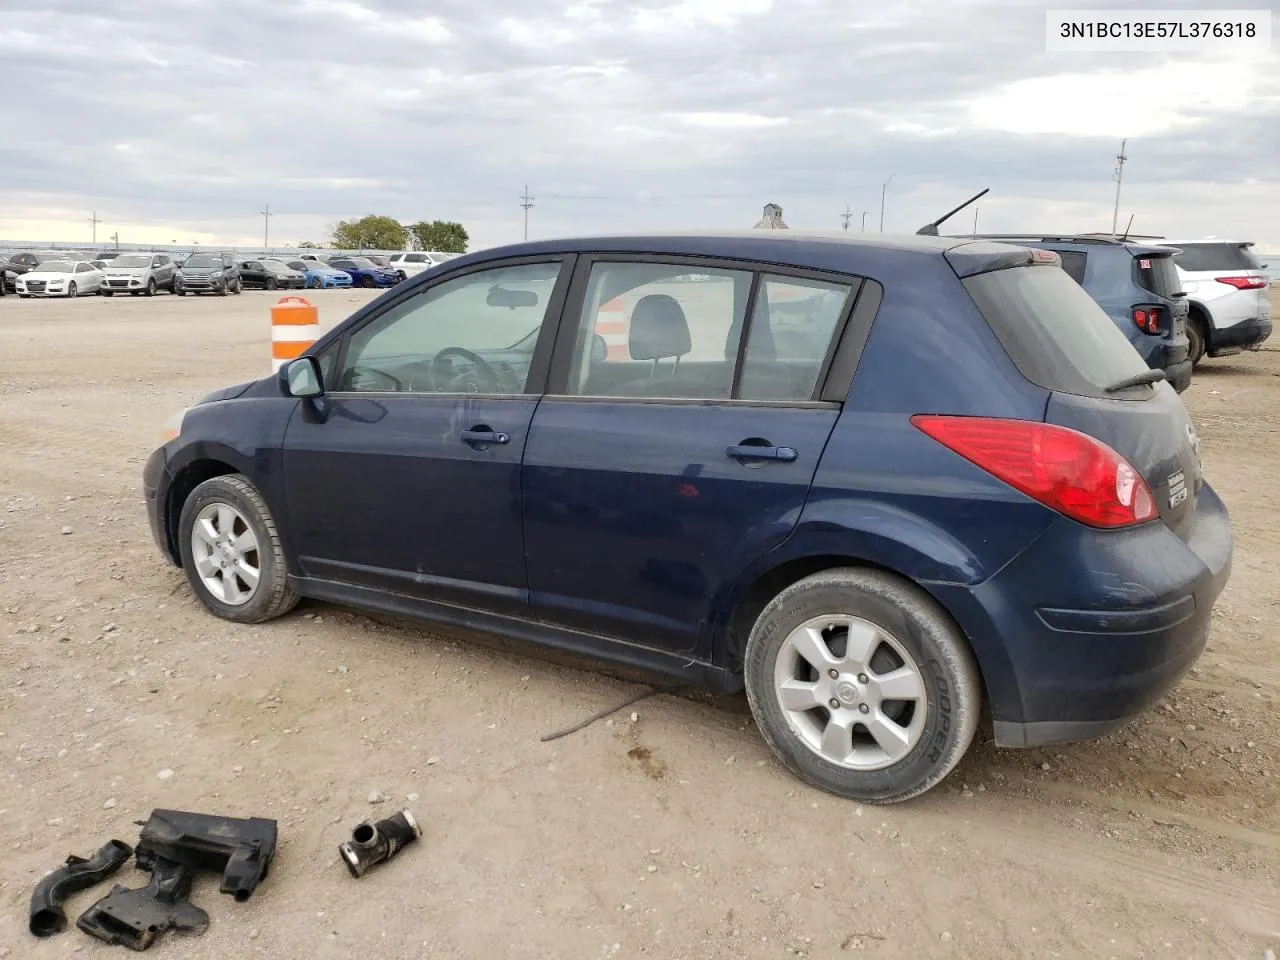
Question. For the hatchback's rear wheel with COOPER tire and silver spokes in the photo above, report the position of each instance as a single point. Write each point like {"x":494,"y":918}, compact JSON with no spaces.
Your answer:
{"x":936,"y":725}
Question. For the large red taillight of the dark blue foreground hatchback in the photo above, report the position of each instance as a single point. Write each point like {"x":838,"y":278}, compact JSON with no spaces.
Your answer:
{"x":1069,"y":472}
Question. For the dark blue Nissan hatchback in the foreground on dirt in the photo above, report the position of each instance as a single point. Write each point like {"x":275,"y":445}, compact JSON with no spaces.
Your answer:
{"x":875,"y":483}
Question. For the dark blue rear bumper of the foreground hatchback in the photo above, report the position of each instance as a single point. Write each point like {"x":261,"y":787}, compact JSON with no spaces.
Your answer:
{"x":1087,"y":629}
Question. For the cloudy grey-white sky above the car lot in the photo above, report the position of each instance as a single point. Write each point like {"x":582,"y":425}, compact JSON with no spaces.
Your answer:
{"x":182,"y":121}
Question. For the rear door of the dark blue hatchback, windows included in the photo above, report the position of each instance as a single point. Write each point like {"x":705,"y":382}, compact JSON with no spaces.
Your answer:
{"x":671,"y":451}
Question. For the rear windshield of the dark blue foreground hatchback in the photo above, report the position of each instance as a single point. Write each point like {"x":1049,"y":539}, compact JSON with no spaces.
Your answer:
{"x":1053,"y":331}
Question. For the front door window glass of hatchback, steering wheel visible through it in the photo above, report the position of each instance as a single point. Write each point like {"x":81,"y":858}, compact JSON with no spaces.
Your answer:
{"x":470,"y":335}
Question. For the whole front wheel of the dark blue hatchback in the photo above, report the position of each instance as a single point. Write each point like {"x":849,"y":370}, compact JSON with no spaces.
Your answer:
{"x":232,"y":554}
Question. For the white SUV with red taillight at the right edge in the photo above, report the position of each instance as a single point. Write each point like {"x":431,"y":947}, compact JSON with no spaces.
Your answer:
{"x":1227,"y":295}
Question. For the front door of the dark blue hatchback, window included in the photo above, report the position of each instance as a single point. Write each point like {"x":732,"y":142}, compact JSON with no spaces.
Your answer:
{"x":406,"y":477}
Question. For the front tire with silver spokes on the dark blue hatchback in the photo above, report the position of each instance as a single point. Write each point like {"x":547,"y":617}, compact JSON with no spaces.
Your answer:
{"x":272,"y":597}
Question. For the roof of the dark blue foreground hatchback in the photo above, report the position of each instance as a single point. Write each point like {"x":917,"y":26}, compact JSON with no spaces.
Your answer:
{"x":815,"y":250}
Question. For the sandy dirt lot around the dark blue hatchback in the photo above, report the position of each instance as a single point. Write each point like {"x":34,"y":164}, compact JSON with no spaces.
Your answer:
{"x":671,"y":836}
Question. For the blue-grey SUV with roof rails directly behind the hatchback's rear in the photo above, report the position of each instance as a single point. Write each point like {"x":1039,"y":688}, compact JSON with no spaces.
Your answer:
{"x":1137,"y":286}
